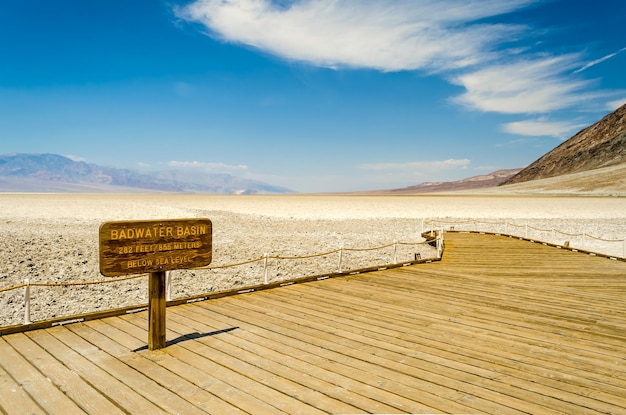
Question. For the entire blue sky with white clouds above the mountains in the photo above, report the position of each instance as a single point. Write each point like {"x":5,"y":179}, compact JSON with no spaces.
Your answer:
{"x":325,"y":95}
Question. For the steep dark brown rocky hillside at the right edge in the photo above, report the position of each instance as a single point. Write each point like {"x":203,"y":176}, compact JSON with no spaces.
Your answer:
{"x":601,"y":145}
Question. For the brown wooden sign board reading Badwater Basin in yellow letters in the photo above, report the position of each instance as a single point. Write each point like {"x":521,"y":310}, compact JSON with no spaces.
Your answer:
{"x":143,"y":246}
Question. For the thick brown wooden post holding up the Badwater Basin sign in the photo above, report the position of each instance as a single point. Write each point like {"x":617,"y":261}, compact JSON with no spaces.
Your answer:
{"x":156,"y":310}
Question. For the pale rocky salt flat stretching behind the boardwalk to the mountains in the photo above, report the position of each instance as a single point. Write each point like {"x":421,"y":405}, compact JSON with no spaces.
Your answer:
{"x":53,"y":238}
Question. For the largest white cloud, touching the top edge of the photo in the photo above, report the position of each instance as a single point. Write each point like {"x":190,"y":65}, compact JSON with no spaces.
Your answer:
{"x":386,"y":35}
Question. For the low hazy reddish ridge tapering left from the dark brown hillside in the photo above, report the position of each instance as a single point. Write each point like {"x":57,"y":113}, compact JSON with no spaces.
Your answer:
{"x":471,"y":183}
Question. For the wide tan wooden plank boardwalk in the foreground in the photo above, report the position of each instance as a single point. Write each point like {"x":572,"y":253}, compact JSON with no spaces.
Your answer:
{"x":499,"y":326}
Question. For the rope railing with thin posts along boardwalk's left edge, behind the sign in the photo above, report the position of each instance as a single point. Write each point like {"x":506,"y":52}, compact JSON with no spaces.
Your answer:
{"x":27,"y":284}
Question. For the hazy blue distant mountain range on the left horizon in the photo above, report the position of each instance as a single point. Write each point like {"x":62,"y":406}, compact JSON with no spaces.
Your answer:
{"x":55,"y":173}
